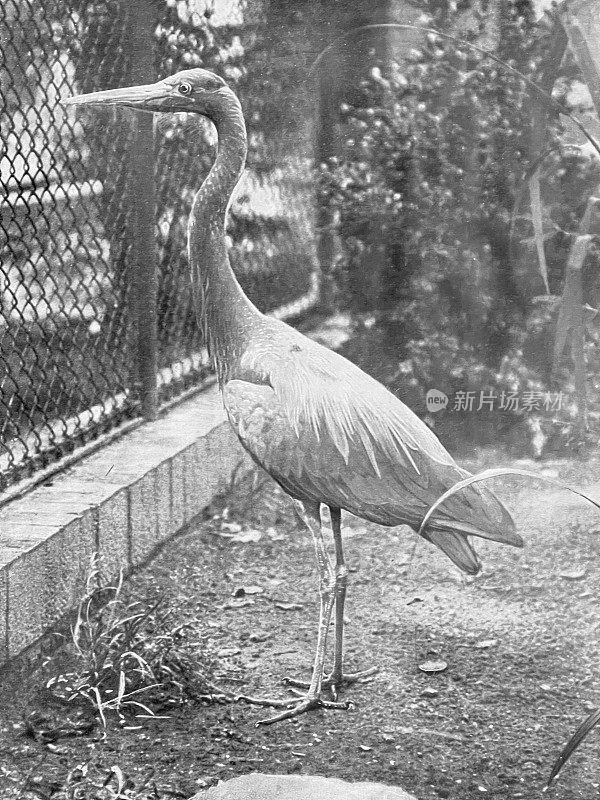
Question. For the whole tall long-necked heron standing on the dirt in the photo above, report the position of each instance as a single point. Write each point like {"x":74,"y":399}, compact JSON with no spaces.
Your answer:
{"x":328,"y":433}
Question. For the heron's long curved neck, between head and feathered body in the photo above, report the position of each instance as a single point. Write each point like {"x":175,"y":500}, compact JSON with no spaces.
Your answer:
{"x":225,"y":312}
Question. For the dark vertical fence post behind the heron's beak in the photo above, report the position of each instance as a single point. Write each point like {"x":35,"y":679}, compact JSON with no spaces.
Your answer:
{"x":143,"y":210}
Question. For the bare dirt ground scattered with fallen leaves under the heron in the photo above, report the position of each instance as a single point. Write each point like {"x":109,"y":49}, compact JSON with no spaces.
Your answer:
{"x":520,"y":642}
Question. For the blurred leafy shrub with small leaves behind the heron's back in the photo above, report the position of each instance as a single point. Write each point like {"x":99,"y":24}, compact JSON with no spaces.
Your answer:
{"x":437,"y":240}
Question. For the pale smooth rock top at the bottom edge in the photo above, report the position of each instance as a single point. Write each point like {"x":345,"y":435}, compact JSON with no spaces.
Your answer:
{"x":299,"y":787}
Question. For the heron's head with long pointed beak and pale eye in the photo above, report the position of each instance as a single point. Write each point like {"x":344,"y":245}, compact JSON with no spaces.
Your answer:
{"x":195,"y":90}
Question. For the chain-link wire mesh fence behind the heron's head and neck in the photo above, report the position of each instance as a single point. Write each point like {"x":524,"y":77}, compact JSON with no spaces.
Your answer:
{"x":70,"y":361}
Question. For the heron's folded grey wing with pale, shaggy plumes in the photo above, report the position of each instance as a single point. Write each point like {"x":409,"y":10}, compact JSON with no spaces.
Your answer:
{"x":329,"y":433}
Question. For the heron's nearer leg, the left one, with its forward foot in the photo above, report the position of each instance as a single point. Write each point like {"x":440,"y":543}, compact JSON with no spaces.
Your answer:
{"x":327,"y":588}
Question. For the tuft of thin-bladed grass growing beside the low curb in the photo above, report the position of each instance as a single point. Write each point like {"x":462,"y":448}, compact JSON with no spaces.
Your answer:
{"x":130,"y":656}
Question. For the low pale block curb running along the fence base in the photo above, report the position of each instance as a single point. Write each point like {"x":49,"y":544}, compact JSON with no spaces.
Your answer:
{"x":122,"y":502}
